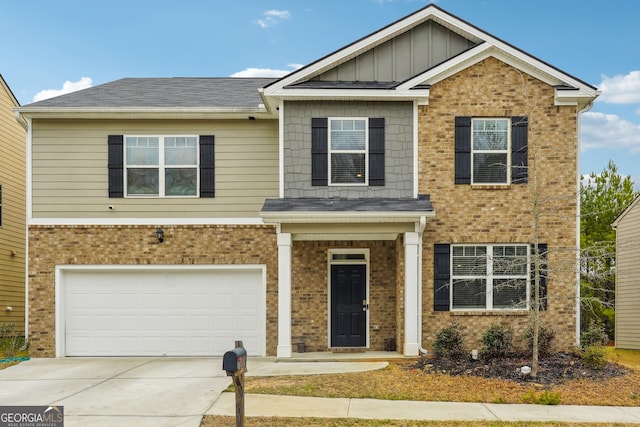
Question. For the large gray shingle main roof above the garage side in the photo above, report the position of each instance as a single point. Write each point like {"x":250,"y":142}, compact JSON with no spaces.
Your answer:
{"x":174,"y":92}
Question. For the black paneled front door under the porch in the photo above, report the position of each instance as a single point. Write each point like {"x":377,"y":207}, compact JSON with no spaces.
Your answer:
{"x":348,"y":305}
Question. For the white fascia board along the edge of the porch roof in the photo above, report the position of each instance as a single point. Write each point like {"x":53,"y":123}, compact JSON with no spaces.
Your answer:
{"x":343,"y":217}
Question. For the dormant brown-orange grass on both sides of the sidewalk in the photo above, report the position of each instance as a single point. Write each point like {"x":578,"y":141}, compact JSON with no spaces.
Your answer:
{"x":399,"y":382}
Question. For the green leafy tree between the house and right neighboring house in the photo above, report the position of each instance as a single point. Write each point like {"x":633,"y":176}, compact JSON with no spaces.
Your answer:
{"x":603,"y":197}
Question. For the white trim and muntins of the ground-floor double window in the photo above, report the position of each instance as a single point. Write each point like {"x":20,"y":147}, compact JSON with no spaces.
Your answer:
{"x":489,"y":278}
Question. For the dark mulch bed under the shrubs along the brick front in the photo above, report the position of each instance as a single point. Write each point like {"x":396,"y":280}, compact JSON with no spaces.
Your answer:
{"x":555,"y":368}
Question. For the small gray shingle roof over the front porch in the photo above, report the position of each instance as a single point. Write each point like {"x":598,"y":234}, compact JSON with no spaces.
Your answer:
{"x":421,"y":204}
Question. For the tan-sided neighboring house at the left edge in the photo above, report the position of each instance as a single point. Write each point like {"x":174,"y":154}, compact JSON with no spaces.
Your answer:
{"x":12,"y":212}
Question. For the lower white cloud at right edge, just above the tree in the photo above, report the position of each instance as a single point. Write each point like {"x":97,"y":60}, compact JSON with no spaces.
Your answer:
{"x":599,"y":130}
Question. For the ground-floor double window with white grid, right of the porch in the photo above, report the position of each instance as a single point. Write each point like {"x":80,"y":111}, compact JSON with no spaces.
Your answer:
{"x":492,"y":277}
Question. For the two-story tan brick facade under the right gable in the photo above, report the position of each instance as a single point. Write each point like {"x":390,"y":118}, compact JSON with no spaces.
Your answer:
{"x":475,"y":214}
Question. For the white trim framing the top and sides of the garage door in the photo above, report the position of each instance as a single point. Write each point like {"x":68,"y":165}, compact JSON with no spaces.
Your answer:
{"x":60,"y":291}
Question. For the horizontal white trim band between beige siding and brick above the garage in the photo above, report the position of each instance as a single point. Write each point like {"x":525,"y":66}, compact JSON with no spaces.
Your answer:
{"x":145,"y":221}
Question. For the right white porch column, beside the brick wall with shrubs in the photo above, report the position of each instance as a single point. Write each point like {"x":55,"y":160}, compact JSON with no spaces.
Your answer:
{"x":411,"y":253}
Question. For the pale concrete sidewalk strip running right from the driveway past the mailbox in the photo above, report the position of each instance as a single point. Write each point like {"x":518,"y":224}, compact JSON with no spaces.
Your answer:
{"x":257,"y":405}
